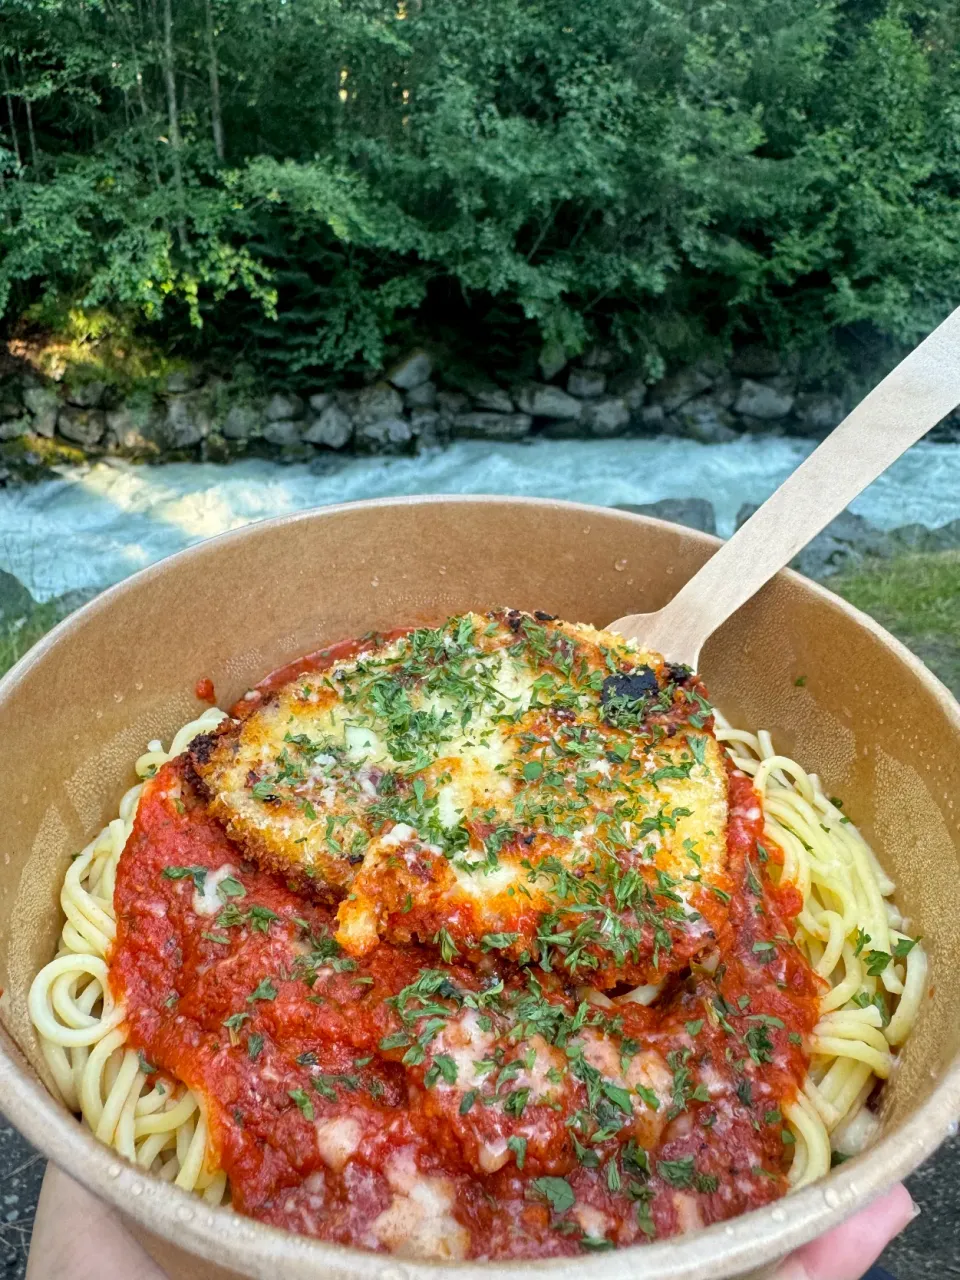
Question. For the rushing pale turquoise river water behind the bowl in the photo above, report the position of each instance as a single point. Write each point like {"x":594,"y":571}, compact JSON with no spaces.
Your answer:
{"x":94,"y":525}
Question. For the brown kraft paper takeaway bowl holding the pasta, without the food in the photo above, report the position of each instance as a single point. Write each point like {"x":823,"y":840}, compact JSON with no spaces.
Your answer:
{"x":79,"y":710}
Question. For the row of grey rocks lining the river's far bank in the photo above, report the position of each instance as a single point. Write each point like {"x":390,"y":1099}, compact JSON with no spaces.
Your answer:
{"x":196,"y":414}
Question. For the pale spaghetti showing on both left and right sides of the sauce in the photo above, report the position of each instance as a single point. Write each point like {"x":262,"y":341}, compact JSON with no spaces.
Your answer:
{"x":847,"y":902}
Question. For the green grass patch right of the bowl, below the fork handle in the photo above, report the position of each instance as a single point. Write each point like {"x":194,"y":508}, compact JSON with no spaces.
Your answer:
{"x":918,"y":600}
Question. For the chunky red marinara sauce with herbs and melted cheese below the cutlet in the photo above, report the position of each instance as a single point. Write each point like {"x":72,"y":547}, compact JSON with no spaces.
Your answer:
{"x":534,"y":1124}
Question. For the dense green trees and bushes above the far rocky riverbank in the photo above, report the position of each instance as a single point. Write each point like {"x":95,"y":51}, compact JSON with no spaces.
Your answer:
{"x":515,"y":173}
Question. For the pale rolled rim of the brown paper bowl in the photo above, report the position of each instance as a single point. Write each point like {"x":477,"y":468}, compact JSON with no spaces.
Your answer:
{"x":218,"y":1236}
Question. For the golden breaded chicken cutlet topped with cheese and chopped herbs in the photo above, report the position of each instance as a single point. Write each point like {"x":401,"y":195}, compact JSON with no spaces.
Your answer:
{"x":502,"y":784}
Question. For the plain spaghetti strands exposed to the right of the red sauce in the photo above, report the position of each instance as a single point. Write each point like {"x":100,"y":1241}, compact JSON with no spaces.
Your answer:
{"x":865,"y":1017}
